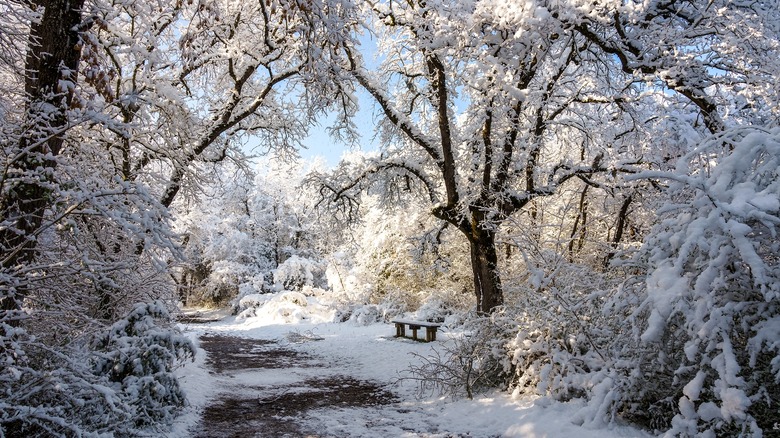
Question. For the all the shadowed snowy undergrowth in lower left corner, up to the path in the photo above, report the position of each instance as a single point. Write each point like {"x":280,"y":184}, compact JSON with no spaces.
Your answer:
{"x":120,"y":383}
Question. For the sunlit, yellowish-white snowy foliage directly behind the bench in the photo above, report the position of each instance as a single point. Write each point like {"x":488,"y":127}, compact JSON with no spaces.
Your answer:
{"x":402,"y":261}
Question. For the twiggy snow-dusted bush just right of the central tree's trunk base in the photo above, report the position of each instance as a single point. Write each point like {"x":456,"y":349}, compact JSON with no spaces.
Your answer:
{"x":560,"y":334}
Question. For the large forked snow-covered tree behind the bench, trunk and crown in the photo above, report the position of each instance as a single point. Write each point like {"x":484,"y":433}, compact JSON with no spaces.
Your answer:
{"x":488,"y":106}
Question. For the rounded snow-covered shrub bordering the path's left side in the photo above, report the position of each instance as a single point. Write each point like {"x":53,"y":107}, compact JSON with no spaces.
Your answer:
{"x":138,"y":355}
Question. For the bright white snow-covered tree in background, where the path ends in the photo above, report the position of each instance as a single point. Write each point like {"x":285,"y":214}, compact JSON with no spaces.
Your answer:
{"x":251,"y":235}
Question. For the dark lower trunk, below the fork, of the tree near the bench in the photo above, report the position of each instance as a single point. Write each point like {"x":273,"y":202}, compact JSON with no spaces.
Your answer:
{"x":484,"y":266}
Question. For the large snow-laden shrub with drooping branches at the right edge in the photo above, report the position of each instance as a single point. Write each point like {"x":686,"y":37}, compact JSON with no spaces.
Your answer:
{"x":701,"y":347}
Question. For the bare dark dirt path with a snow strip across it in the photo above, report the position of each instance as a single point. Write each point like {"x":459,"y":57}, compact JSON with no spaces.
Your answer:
{"x":245,"y":410}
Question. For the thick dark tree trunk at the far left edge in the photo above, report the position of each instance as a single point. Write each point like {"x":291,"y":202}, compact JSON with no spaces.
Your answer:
{"x":51,"y":69}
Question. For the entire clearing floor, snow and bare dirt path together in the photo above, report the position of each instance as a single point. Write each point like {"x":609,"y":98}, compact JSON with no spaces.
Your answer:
{"x":252,"y":378}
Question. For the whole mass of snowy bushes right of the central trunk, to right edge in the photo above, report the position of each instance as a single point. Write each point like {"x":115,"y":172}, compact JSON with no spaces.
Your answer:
{"x":688,"y":346}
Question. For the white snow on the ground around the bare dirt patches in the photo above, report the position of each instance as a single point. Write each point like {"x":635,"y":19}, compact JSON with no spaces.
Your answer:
{"x":372,"y":353}
